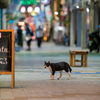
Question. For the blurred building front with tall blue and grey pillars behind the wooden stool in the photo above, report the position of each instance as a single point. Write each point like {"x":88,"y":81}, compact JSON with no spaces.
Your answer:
{"x":84,"y":19}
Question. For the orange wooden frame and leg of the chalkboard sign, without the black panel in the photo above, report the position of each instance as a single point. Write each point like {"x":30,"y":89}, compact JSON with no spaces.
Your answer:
{"x":12,"y":57}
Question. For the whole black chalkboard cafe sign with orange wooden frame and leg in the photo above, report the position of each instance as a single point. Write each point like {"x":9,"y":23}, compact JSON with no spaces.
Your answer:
{"x":7,"y":53}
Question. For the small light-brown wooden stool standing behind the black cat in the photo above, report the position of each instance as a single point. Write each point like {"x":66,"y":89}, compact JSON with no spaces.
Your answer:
{"x":83,"y":54}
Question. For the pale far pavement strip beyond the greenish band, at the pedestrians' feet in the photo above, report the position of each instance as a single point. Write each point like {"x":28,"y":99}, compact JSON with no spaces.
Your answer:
{"x":48,"y":47}
